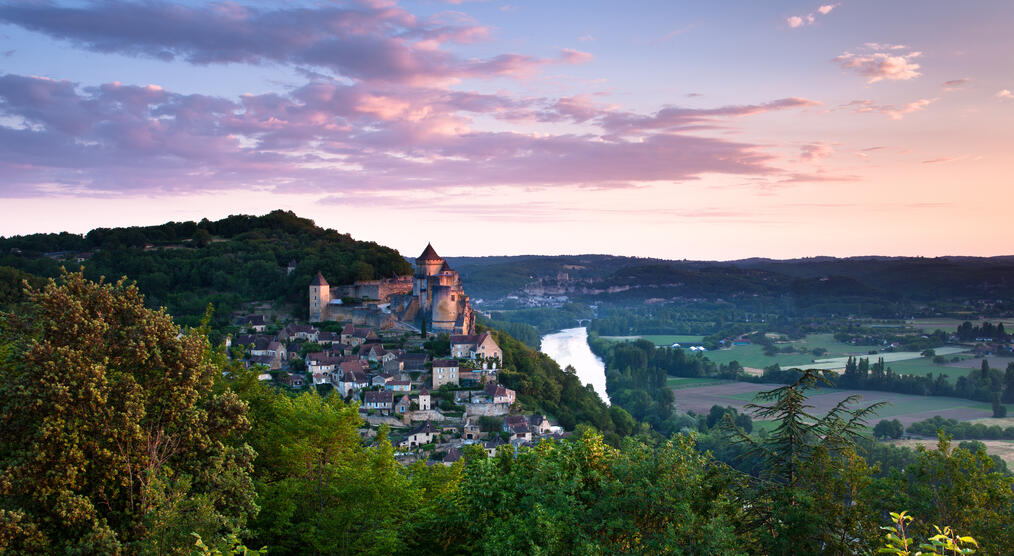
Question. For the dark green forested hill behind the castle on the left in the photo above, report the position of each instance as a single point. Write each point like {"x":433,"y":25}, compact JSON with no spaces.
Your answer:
{"x":184,"y":266}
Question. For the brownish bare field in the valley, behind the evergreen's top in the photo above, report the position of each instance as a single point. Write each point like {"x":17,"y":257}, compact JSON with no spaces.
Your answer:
{"x":906,"y":408}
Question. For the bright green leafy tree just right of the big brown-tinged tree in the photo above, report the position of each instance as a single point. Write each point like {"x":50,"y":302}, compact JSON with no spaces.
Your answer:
{"x":321,"y":490}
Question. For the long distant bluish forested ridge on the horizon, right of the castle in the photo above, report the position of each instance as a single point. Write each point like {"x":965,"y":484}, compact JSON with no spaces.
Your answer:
{"x":610,"y":279}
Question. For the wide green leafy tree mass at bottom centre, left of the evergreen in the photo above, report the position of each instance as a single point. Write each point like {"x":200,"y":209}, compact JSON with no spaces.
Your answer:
{"x":584,"y":497}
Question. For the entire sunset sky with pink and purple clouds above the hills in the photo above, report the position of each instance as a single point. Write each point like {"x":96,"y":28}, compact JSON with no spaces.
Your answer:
{"x":670,"y":129}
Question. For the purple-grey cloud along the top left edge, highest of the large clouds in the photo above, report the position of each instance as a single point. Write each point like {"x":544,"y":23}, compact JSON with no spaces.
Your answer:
{"x":368,"y":42}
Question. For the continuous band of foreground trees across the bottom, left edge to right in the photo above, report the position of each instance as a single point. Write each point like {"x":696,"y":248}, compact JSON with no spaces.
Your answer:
{"x":125,"y":435}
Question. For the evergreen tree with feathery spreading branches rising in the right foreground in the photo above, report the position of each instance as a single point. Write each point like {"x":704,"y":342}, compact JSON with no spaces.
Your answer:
{"x":811,"y":465}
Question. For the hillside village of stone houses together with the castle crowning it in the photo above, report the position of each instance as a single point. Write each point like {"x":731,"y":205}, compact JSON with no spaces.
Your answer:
{"x":418,"y":368}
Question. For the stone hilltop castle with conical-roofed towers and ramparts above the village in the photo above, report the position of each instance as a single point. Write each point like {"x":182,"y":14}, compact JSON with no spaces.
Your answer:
{"x":432,"y":298}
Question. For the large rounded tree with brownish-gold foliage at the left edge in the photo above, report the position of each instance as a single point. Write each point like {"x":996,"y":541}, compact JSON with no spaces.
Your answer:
{"x":118,"y":435}
